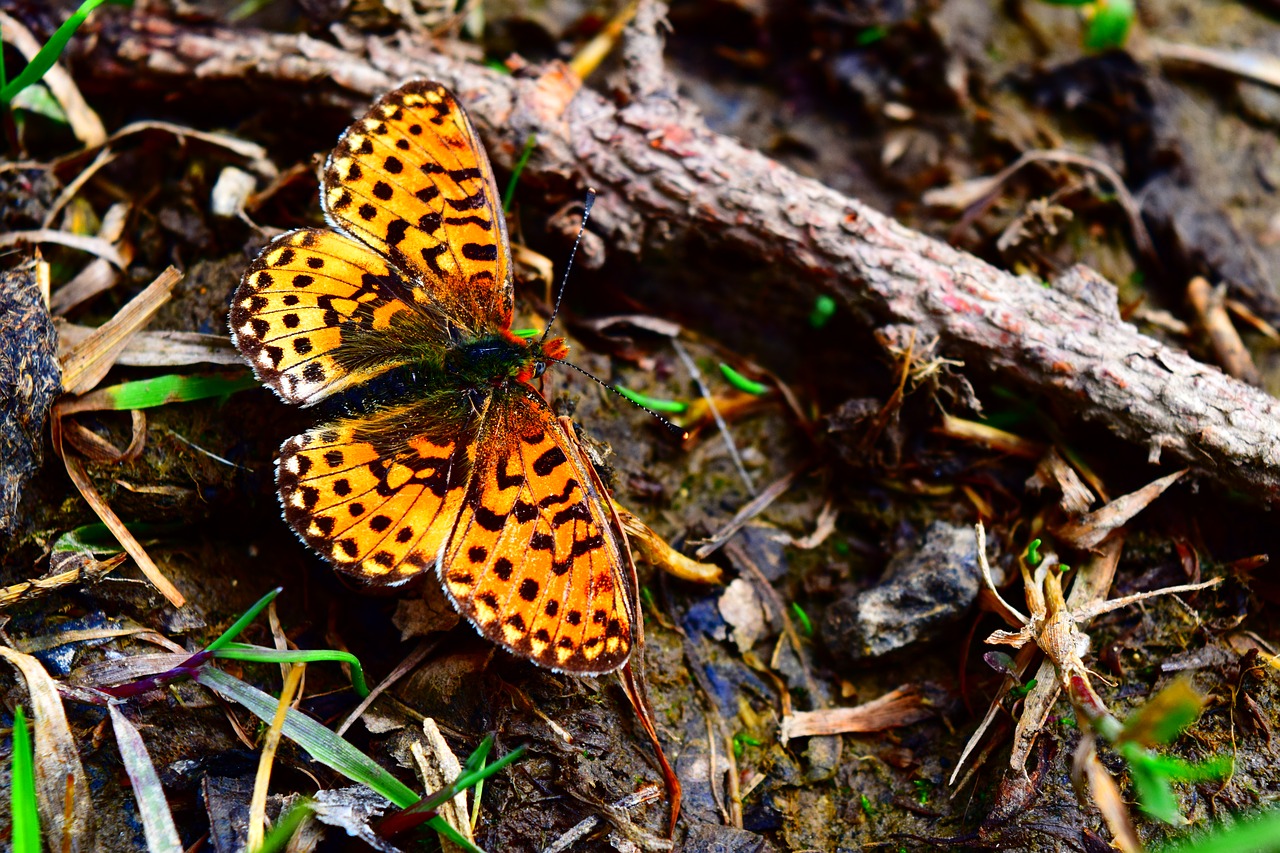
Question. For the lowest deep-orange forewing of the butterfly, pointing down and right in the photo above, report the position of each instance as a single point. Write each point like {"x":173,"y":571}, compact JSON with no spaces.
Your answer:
{"x":536,"y":560}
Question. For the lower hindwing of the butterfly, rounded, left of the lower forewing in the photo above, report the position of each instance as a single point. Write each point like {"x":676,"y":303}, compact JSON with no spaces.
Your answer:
{"x":377,"y":498}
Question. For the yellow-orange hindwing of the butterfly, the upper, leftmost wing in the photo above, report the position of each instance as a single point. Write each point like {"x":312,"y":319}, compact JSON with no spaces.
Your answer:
{"x":307,"y":312}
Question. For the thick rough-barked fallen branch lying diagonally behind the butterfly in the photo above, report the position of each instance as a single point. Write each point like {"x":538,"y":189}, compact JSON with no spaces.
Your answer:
{"x":662,"y":174}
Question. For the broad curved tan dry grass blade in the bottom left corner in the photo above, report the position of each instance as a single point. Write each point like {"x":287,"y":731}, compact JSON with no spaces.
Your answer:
{"x":60,"y":773}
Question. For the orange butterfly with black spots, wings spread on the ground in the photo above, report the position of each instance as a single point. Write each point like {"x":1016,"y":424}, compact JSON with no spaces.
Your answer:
{"x":441,"y":454}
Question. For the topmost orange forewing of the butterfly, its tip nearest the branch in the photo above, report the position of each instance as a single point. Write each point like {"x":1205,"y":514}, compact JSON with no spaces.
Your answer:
{"x":413,"y":183}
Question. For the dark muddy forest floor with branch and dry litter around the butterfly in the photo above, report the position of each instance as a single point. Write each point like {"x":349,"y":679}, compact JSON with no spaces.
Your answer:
{"x":876,"y":213}
